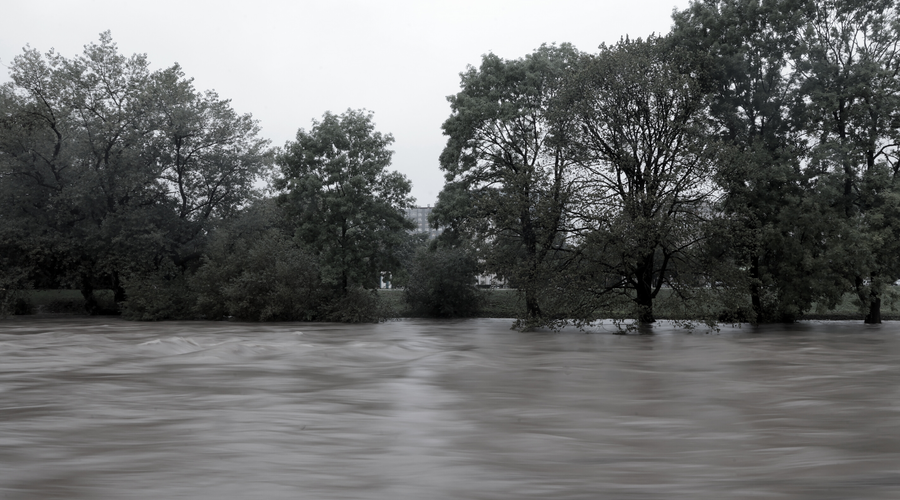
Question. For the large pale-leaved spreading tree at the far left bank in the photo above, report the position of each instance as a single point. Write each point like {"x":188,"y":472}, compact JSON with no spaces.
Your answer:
{"x":109,"y":169}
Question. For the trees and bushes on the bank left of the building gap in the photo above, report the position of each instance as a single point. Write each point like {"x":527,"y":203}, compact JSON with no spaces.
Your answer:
{"x":115,"y":177}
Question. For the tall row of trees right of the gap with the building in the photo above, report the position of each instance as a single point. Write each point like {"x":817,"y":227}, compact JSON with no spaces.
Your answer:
{"x":744,"y":166}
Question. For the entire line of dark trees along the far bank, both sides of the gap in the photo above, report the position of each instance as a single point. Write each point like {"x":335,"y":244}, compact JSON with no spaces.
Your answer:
{"x":743,"y":167}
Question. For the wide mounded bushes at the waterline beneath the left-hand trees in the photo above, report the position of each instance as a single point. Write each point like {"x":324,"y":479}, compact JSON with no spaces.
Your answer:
{"x":251,"y":271}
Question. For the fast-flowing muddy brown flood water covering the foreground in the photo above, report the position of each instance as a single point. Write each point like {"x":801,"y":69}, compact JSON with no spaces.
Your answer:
{"x":108,"y":409}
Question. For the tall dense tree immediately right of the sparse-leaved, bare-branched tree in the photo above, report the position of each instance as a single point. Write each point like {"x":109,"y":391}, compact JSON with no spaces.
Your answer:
{"x":742,"y":52}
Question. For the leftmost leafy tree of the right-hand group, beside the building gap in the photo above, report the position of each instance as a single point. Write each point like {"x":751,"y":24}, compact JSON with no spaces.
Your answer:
{"x":508,"y":170}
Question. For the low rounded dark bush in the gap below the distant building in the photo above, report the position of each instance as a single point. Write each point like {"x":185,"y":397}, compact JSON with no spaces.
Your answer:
{"x":442,"y":283}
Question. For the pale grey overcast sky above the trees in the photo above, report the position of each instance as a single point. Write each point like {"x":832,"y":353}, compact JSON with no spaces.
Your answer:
{"x":288,"y":62}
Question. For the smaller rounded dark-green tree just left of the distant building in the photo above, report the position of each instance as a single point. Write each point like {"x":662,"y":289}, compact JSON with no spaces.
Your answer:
{"x":346,"y":207}
